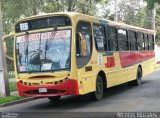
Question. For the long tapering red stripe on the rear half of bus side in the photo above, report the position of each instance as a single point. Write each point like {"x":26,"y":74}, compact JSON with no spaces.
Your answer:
{"x":130,"y":58}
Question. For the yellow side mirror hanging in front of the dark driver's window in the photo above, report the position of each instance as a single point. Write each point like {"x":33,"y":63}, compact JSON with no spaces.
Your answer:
{"x":83,"y":45}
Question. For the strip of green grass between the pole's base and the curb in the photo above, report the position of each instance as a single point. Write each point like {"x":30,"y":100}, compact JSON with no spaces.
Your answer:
{"x":9,"y":99}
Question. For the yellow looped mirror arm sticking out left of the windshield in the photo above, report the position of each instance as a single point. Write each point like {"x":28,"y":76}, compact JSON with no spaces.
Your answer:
{"x":8,"y":42}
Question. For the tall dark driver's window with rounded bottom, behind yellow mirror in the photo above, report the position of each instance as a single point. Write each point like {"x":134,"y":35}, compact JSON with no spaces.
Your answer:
{"x":83,"y":43}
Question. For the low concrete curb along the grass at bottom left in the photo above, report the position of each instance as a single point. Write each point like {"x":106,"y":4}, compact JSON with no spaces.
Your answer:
{"x":18,"y":101}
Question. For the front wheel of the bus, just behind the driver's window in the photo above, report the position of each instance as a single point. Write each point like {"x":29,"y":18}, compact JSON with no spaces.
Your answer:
{"x":98,"y":94}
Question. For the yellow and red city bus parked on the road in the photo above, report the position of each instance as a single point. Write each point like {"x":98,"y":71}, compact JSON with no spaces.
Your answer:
{"x":70,"y":53}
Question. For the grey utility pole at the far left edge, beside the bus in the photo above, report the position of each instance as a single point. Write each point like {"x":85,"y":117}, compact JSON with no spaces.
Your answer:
{"x":4,"y":84}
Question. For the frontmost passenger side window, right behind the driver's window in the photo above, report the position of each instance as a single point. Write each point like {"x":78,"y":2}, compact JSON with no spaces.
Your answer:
{"x":100,"y":38}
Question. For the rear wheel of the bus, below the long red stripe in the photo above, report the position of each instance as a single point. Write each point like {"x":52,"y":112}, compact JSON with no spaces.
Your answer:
{"x":138,"y":80}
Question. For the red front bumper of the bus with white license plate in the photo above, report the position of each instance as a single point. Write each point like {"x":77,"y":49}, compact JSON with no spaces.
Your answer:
{"x":69,"y":87}
